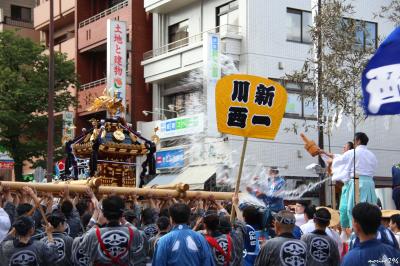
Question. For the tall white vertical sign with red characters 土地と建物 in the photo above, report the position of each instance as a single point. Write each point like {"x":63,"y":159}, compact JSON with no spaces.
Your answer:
{"x":116,"y":59}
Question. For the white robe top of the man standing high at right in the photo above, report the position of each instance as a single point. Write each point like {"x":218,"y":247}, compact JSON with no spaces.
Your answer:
{"x":343,"y":165}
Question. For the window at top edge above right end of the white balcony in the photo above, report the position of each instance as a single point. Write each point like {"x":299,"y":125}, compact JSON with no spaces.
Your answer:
{"x":228,"y":15}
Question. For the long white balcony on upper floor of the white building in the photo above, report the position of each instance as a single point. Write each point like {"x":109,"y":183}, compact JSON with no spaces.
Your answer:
{"x":187,"y":54}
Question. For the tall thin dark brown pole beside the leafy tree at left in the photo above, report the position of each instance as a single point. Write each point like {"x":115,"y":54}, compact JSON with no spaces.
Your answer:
{"x":50,"y":108}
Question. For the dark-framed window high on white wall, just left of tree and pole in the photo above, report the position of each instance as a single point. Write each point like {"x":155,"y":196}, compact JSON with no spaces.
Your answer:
{"x":298,"y":25}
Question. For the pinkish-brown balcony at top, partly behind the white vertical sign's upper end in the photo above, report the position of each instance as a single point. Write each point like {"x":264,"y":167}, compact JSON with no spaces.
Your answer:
{"x":92,"y":32}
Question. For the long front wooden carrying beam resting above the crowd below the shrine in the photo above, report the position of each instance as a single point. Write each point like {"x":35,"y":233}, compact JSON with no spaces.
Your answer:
{"x":157,"y":193}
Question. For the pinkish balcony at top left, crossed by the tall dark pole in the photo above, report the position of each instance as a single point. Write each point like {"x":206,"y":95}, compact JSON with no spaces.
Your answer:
{"x":63,"y":14}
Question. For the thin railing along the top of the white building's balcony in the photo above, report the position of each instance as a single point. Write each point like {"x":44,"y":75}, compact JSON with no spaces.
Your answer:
{"x":223,"y":30}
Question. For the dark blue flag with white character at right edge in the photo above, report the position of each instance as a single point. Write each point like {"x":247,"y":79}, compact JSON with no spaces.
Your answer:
{"x":381,"y":78}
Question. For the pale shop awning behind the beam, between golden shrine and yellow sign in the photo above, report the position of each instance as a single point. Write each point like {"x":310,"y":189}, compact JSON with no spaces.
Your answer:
{"x":194,"y":176}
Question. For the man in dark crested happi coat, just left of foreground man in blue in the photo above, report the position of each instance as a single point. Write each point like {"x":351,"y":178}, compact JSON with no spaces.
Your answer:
{"x":321,"y":249}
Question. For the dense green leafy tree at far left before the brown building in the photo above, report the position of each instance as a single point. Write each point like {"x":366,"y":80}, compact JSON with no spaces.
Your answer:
{"x":23,"y":96}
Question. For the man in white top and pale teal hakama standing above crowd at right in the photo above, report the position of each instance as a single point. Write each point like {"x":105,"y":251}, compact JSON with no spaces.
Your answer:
{"x":365,"y":163}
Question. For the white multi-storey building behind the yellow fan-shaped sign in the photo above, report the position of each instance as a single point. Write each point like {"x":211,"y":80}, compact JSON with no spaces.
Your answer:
{"x":261,"y":37}
